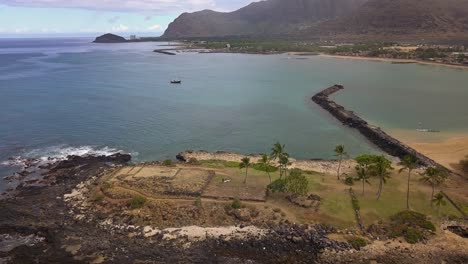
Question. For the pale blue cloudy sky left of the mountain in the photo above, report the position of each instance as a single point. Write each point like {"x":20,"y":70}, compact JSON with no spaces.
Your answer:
{"x":26,"y":18}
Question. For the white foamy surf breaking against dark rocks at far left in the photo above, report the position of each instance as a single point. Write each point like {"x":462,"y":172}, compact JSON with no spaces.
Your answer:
{"x":44,"y":156}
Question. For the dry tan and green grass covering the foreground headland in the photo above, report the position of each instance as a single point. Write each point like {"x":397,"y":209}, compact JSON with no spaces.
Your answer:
{"x":227,"y":184}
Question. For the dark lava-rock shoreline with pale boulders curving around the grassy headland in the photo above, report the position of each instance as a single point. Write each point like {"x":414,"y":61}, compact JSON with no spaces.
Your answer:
{"x":54,"y":223}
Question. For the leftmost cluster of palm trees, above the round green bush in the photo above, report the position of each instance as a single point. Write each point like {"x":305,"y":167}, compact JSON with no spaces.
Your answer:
{"x":278,"y":155}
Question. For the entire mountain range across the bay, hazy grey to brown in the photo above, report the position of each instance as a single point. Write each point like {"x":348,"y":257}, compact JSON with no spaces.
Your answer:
{"x":333,"y":19}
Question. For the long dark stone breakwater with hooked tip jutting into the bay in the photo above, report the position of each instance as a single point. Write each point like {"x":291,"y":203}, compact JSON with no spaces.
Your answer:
{"x":374,"y":134}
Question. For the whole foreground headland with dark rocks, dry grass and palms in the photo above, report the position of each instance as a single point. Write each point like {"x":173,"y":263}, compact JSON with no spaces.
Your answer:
{"x":231,"y":208}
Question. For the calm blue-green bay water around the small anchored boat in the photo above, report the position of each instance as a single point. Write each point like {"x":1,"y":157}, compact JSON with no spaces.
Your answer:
{"x":62,"y":97}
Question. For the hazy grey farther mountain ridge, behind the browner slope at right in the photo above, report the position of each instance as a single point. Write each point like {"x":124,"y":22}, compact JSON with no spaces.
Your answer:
{"x":272,"y":17}
